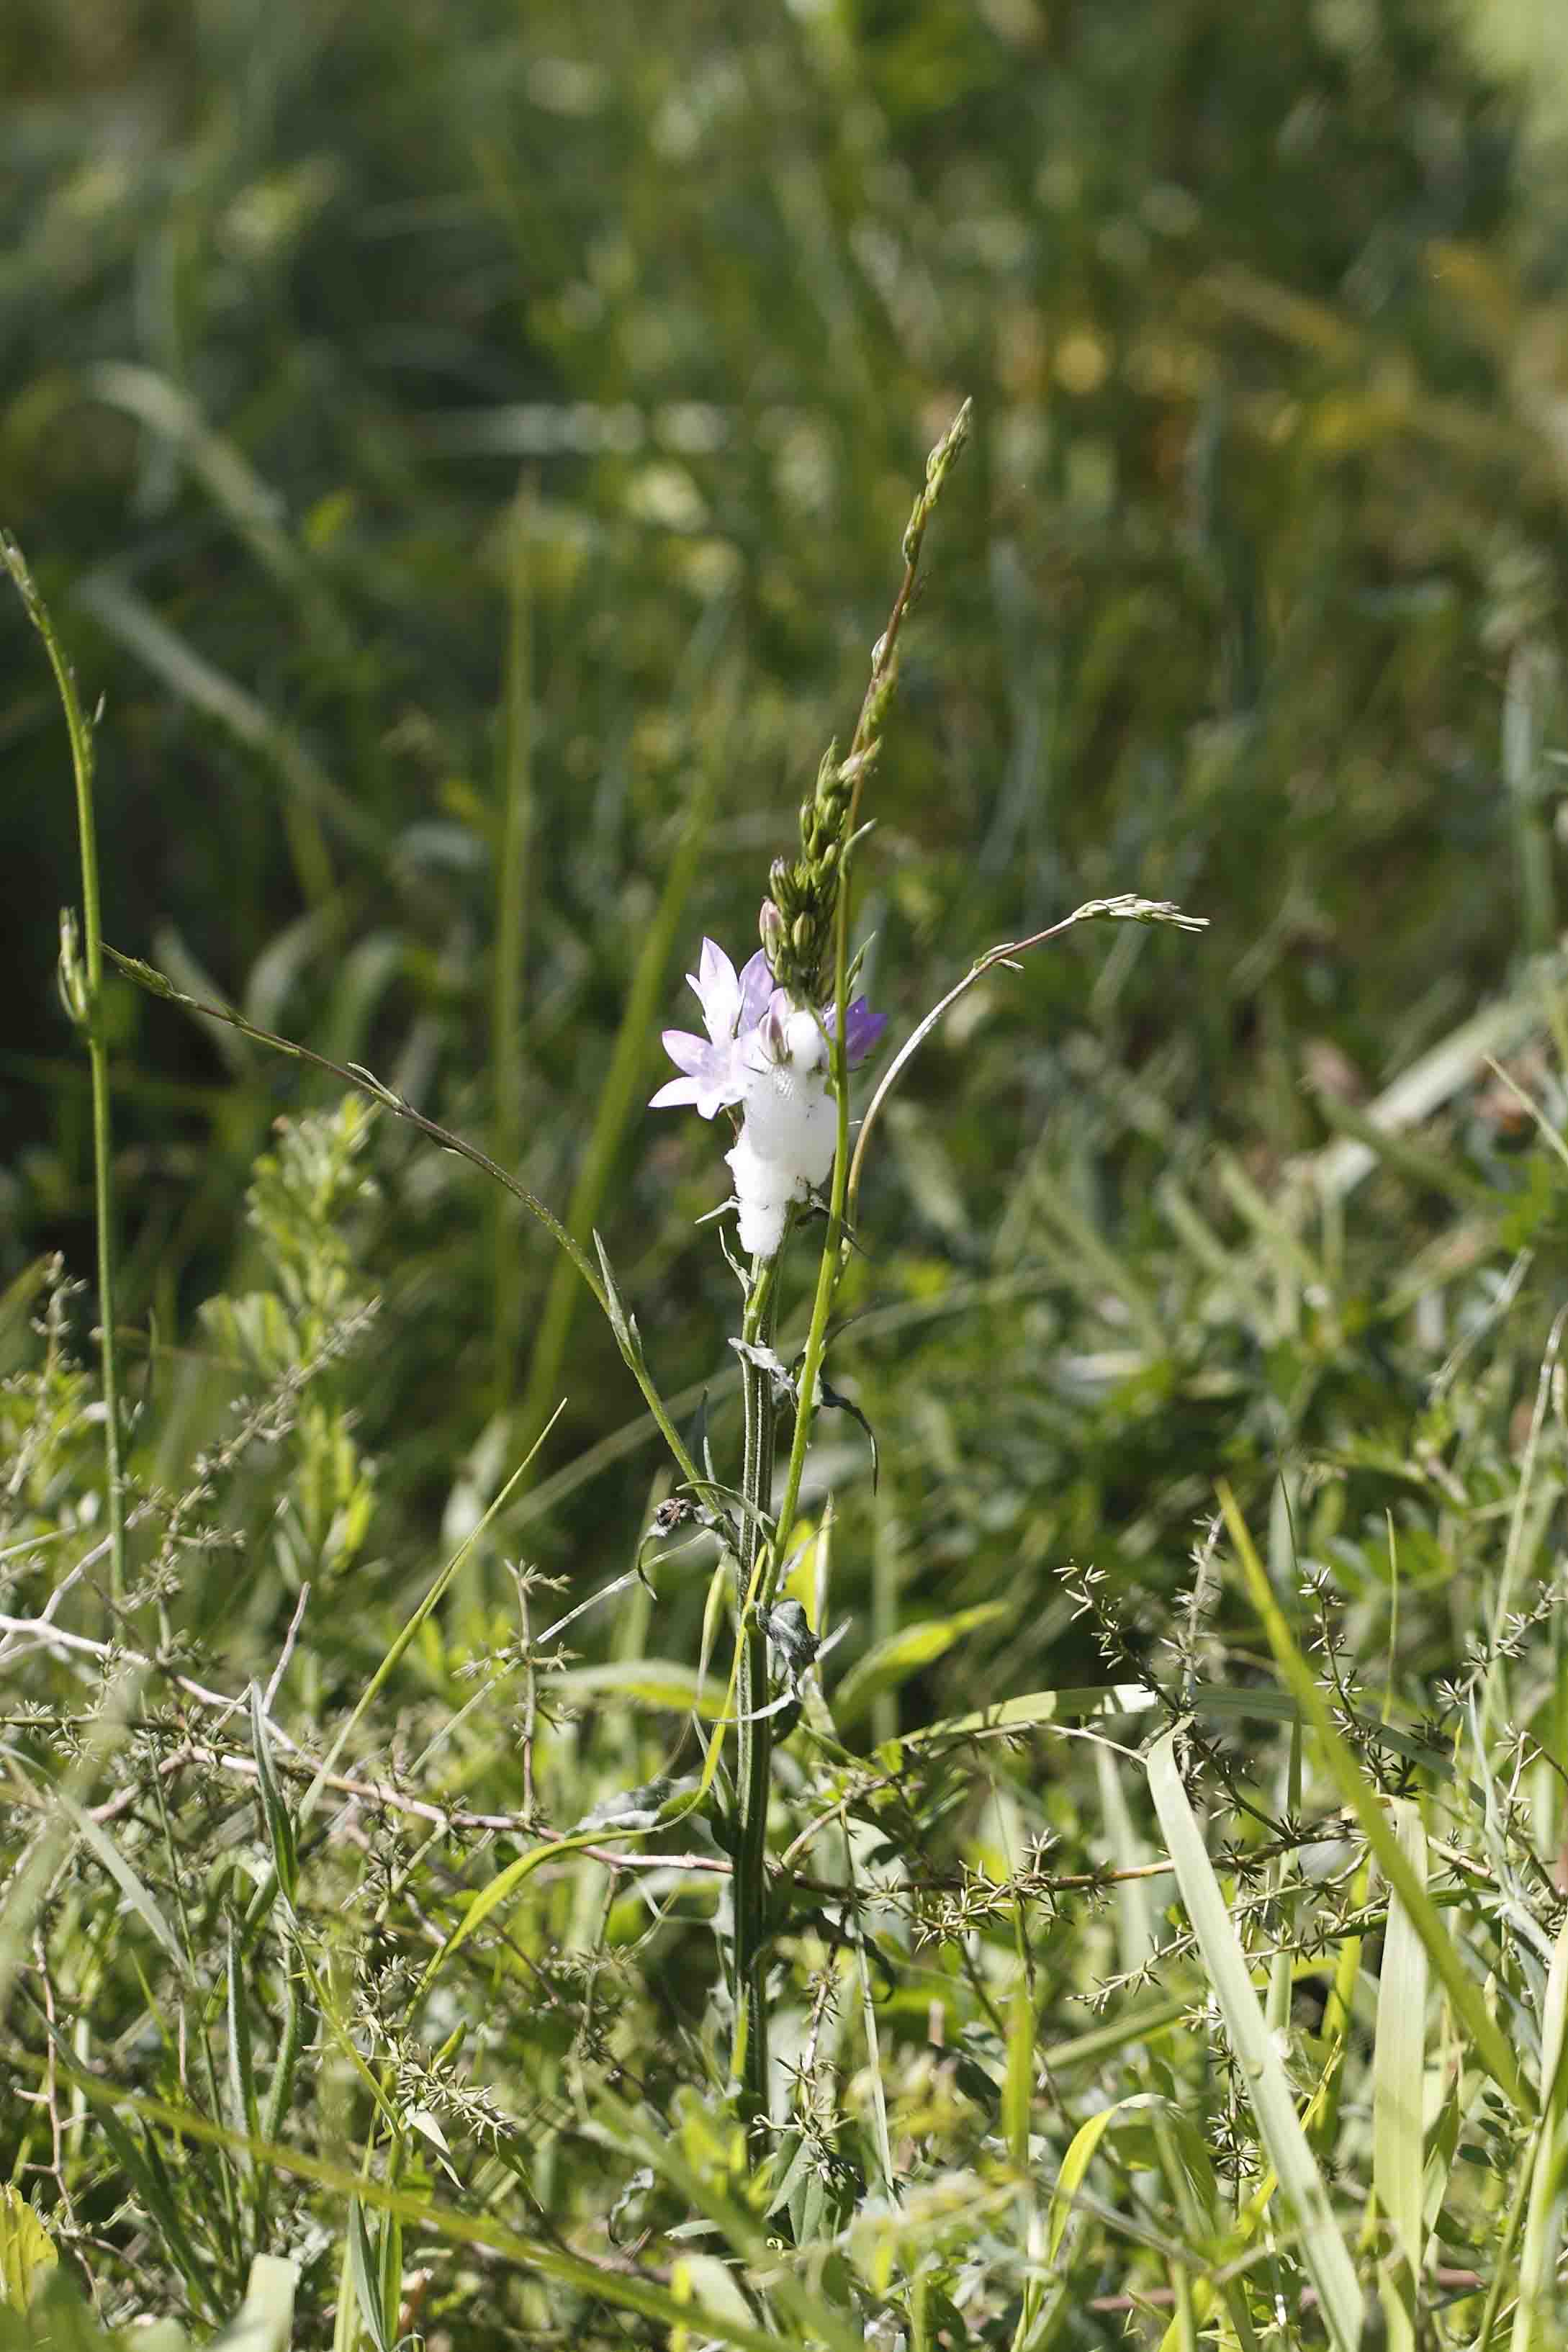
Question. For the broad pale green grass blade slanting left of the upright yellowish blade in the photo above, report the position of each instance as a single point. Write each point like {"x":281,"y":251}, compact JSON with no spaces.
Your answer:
{"x":1264,"y":2076}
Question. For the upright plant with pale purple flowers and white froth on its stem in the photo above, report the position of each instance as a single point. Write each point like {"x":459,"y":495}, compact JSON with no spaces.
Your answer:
{"x":775,"y":1060}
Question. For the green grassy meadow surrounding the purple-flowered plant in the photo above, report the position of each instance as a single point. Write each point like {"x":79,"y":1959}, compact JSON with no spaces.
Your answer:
{"x":467,"y":450}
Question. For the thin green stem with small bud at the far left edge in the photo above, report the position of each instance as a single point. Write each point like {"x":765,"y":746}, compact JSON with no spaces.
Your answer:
{"x":83,"y":994}
